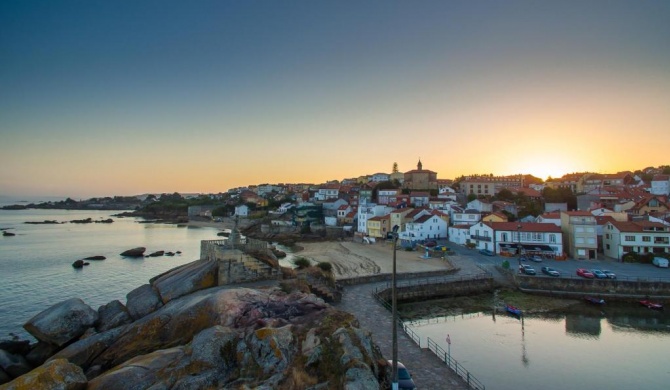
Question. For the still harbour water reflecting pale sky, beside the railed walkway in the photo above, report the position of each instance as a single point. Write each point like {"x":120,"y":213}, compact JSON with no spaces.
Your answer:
{"x":617,"y":347}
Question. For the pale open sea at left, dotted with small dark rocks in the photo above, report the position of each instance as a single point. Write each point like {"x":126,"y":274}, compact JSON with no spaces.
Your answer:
{"x":36,"y":263}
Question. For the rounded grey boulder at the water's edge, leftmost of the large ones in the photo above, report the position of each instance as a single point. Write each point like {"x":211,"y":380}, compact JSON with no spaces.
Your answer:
{"x":62,"y":322}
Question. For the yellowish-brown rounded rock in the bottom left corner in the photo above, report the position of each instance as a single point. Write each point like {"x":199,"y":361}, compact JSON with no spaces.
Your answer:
{"x":56,"y":374}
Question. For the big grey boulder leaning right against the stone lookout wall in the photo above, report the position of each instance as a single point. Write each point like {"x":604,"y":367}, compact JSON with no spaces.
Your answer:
{"x":198,"y":275}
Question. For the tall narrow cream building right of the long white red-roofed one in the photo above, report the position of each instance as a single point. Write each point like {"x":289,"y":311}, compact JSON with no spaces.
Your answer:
{"x":579,"y":234}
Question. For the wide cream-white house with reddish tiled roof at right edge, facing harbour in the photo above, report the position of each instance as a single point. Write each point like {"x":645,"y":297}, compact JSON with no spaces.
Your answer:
{"x":639,"y":237}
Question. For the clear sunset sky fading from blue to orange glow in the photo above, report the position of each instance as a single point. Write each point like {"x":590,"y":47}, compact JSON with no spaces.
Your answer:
{"x":101,"y":98}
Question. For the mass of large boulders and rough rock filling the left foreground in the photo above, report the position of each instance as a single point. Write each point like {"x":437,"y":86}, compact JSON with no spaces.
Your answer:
{"x":182,"y":330}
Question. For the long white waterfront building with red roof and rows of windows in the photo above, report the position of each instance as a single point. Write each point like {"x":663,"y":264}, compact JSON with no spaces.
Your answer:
{"x":513,"y":237}
